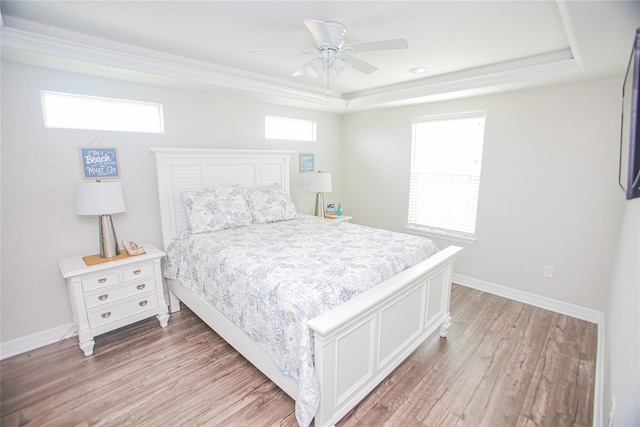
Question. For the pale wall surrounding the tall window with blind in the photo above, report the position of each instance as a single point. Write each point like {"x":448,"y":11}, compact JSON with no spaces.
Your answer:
{"x":548,"y":191}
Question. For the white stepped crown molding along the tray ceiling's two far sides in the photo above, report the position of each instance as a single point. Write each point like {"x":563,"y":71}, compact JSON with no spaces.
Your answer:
{"x":72,"y":56}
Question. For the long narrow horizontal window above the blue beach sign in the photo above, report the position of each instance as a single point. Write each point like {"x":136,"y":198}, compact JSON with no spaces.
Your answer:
{"x":70,"y":111}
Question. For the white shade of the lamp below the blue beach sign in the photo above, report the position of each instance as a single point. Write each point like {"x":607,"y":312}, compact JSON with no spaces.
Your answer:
{"x":99,"y":198}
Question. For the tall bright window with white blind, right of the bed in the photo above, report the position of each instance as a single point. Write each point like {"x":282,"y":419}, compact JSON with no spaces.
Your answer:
{"x":446,"y":159}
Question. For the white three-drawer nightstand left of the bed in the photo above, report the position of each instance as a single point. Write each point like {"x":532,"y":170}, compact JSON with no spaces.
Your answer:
{"x":112,"y":294}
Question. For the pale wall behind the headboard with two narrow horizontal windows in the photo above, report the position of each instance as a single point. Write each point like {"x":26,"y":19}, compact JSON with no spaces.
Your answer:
{"x":41,"y":166}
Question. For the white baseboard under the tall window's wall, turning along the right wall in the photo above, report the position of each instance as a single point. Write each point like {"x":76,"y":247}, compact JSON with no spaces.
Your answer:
{"x":561,"y":307}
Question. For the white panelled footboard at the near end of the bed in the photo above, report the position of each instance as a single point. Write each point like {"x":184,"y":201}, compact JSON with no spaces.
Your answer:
{"x":360,"y":342}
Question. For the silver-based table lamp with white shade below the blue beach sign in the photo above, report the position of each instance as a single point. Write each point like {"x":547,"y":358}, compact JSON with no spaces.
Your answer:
{"x":101,"y":199}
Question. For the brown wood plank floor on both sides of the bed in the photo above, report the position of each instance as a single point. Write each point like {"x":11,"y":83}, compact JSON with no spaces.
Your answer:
{"x":503,"y":364}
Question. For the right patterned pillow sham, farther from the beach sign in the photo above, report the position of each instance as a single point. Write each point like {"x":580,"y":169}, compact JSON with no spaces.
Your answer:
{"x":270,"y":205}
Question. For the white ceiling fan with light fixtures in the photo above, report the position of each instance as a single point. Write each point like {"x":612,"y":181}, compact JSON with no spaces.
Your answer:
{"x":334,"y":60}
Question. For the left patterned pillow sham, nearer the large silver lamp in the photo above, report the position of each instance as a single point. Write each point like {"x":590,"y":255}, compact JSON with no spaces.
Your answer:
{"x":216,"y":209}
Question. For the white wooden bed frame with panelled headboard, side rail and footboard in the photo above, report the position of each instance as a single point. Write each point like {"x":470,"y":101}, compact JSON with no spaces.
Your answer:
{"x":358,"y":343}
